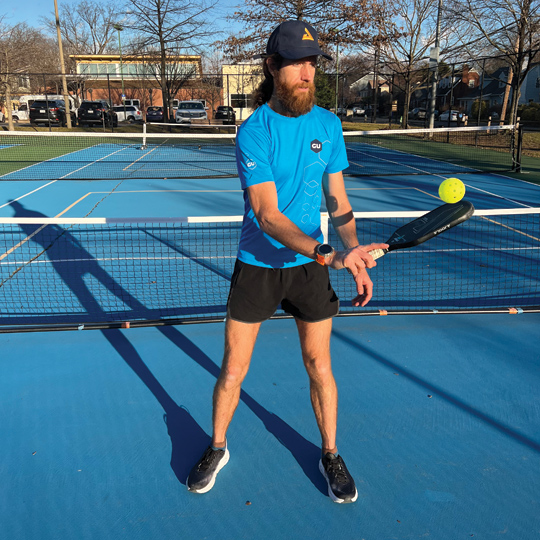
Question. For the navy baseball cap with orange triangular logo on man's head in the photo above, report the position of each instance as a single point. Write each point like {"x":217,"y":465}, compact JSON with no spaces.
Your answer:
{"x":294,"y":40}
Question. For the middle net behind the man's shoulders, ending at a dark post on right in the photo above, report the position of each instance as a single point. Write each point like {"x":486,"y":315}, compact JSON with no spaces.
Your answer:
{"x":122,"y":156}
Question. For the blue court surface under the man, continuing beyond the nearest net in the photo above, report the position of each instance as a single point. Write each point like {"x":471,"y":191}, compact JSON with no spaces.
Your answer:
{"x":439,"y":416}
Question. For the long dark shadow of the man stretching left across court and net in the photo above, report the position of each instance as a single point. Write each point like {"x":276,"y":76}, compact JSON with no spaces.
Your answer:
{"x":188,"y":439}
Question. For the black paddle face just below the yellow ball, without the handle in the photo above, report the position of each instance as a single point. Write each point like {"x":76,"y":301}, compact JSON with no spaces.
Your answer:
{"x":431,"y":224}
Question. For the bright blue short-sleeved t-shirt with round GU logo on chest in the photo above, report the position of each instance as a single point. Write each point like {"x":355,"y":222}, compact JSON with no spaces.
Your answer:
{"x":294,"y":153}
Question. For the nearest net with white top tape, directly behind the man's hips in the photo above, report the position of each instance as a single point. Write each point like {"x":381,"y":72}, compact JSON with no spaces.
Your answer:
{"x":69,"y":273}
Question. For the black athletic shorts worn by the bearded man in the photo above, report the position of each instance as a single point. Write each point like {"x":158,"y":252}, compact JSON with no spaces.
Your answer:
{"x":303,"y":291}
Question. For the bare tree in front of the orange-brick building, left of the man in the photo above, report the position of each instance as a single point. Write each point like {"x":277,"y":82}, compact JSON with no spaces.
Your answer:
{"x":169,"y":28}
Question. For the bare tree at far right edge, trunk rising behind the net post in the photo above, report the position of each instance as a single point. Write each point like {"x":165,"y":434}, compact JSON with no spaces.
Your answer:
{"x":507,"y":27}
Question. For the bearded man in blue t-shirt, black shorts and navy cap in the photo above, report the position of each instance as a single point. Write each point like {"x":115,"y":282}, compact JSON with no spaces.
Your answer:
{"x":286,"y":151}
